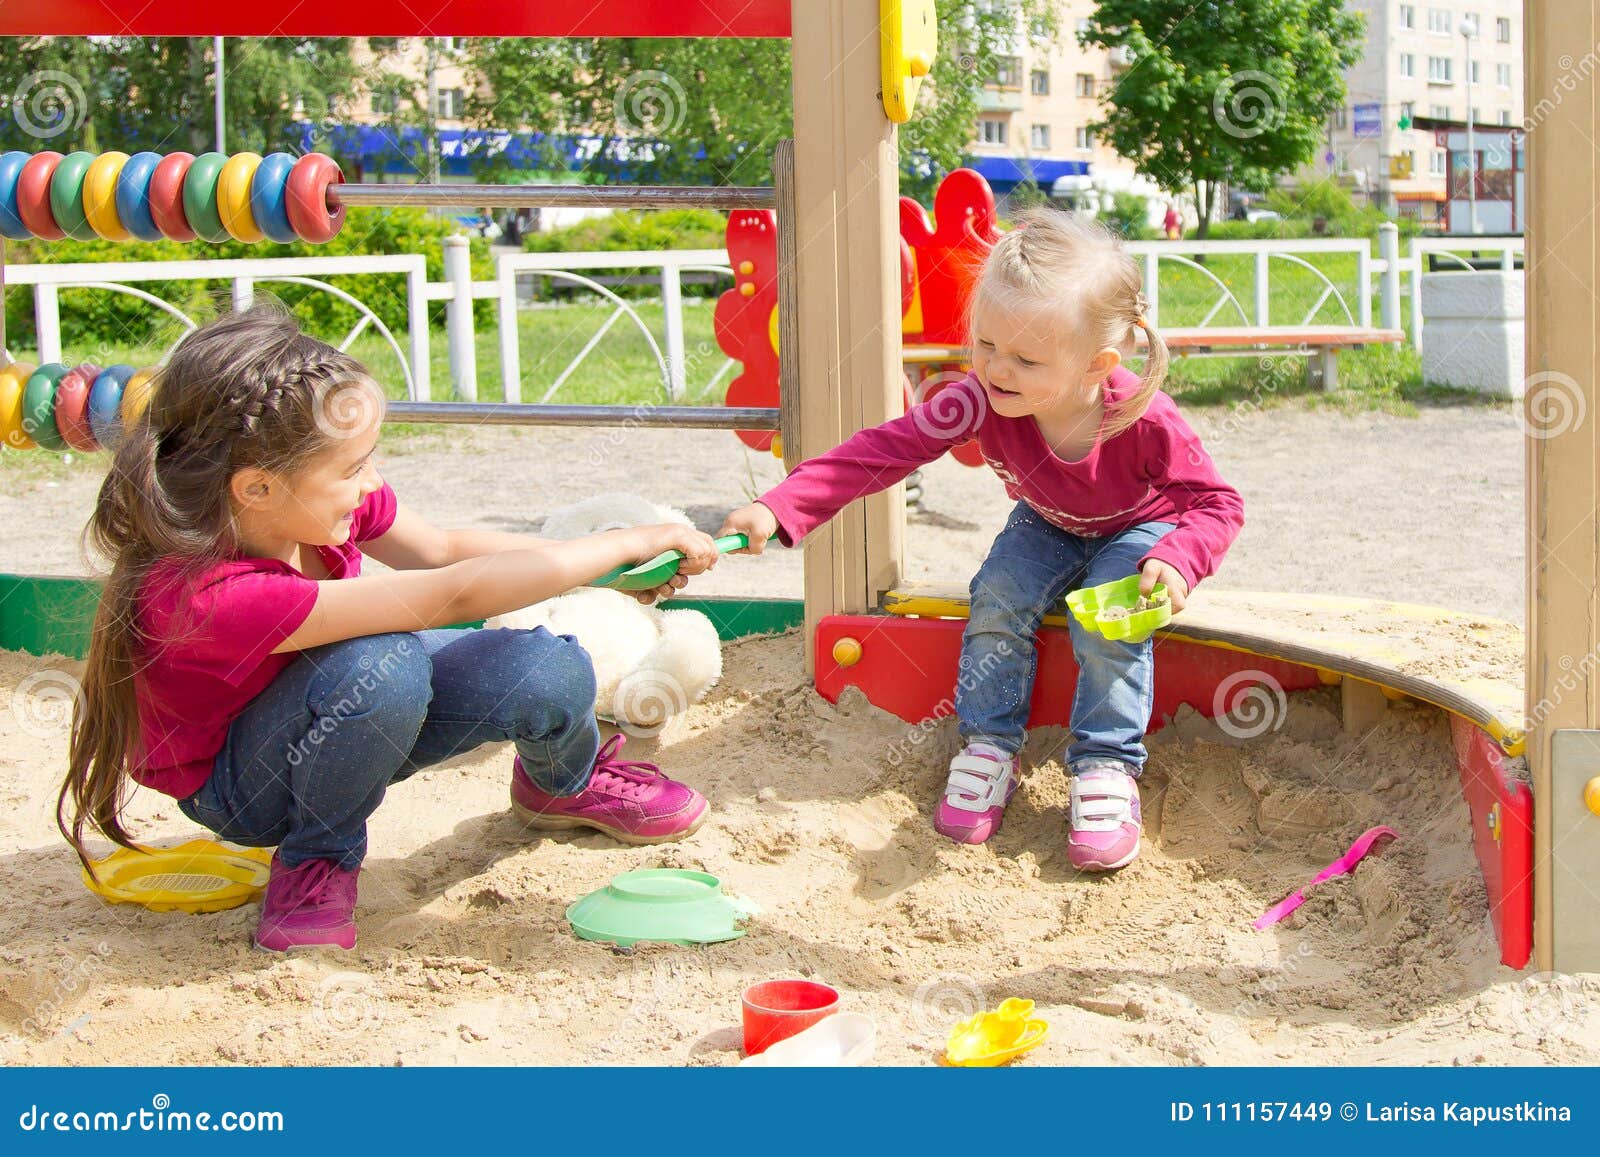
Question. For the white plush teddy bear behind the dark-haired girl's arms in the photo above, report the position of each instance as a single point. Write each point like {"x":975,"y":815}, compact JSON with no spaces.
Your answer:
{"x":650,"y":665}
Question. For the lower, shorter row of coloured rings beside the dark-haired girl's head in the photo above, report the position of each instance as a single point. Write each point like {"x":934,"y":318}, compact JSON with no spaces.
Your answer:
{"x":57,"y":407}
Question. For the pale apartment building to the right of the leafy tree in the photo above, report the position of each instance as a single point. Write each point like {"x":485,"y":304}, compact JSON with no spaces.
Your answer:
{"x":1422,"y":62}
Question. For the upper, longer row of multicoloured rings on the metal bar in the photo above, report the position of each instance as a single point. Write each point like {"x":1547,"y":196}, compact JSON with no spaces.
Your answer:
{"x":212,"y":198}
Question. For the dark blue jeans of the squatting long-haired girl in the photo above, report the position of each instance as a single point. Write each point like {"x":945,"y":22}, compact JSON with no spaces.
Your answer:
{"x":311,"y":758}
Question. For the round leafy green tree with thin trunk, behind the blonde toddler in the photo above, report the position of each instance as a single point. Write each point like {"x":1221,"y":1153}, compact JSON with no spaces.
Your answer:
{"x":1220,"y":94}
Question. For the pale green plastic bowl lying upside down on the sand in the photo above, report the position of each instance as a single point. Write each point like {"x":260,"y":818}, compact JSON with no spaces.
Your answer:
{"x":660,"y":905}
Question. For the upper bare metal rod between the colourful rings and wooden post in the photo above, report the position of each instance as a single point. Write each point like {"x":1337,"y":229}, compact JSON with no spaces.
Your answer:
{"x":556,"y":196}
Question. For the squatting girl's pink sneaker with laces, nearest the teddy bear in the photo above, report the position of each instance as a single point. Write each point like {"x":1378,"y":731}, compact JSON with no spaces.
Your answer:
{"x":628,"y":801}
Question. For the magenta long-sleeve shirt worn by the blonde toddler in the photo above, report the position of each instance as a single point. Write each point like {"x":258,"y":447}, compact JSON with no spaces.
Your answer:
{"x":1156,"y":471}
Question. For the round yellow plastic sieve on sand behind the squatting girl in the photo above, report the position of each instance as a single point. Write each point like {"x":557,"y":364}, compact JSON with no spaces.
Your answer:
{"x":194,"y":878}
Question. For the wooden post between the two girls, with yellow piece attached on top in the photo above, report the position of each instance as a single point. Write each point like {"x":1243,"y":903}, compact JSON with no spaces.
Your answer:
{"x":847,"y":183}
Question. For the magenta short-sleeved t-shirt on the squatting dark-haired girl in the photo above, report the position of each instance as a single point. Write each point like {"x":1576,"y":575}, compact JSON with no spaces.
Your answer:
{"x":220,"y":635}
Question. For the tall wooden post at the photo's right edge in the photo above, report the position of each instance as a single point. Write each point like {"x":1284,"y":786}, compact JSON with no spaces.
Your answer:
{"x":1561,"y":414}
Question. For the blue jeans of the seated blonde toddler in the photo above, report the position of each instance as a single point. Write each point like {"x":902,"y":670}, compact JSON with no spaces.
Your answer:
{"x":1030,"y":569}
